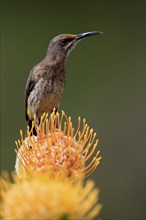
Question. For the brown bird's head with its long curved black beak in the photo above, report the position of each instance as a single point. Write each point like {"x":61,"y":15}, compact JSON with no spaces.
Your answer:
{"x":61,"y":45}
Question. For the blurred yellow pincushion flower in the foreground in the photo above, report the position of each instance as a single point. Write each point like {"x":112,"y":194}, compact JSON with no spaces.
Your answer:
{"x":43,"y":198}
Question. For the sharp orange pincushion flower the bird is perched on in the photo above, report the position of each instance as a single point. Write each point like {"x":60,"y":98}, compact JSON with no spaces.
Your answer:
{"x":58,"y":150}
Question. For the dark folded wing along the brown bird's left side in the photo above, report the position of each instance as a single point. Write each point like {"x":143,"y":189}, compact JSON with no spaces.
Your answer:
{"x":29,"y":87}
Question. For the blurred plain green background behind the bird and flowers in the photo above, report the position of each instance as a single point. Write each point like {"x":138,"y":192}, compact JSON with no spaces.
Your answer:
{"x":105,"y":84}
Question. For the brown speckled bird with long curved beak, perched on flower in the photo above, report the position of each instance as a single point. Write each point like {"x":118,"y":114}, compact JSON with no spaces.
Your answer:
{"x":47,"y":79}
